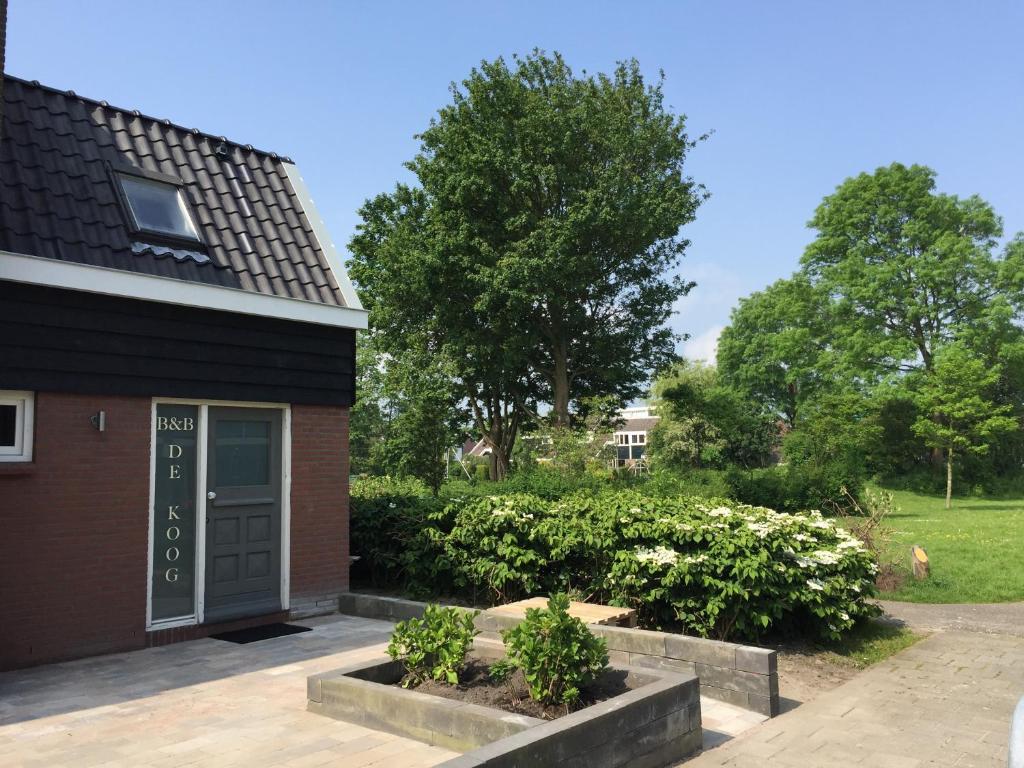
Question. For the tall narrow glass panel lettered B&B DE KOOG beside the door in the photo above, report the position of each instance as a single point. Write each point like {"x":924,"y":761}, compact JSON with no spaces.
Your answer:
{"x":174,"y":554}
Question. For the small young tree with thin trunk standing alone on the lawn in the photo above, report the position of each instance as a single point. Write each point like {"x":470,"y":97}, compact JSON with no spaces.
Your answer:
{"x":957,"y":412}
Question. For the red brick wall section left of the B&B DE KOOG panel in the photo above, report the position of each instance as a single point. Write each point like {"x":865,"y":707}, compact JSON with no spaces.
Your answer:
{"x":74,"y":533}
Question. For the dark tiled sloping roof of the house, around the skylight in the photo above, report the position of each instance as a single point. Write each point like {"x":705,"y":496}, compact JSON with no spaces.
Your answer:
{"x":58,"y":199}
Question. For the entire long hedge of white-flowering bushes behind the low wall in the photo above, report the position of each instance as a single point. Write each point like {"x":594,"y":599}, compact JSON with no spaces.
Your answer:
{"x":710,"y":568}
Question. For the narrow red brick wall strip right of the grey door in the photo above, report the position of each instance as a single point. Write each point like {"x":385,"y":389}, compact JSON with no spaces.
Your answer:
{"x":320,"y":501}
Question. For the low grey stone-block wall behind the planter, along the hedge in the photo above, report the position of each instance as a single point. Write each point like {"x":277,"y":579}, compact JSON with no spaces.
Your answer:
{"x":742,"y":675}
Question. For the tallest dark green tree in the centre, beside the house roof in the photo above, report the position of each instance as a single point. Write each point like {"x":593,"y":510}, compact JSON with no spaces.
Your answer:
{"x":537,"y":250}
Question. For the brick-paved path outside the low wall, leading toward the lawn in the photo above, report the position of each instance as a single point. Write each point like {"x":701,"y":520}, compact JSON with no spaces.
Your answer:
{"x":945,"y":702}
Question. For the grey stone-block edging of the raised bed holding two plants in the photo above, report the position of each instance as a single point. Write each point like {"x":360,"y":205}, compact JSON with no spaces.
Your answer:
{"x":657,"y":722}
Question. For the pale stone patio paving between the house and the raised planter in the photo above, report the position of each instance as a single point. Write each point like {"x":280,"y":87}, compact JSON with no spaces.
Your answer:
{"x":208,"y":703}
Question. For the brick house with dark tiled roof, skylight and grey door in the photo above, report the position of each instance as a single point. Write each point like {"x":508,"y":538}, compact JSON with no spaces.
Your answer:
{"x":177,"y":369}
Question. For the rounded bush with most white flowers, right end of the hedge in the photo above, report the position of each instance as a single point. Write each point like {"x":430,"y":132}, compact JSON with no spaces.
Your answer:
{"x":733,"y":571}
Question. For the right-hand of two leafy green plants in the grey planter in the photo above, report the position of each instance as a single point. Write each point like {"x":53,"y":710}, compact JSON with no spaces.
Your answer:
{"x":557,"y":653}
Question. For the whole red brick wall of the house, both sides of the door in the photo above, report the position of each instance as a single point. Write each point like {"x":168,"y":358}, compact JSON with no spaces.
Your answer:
{"x":74,"y":526}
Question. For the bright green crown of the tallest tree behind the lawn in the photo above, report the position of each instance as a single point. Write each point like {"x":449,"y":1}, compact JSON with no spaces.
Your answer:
{"x":909,"y":269}
